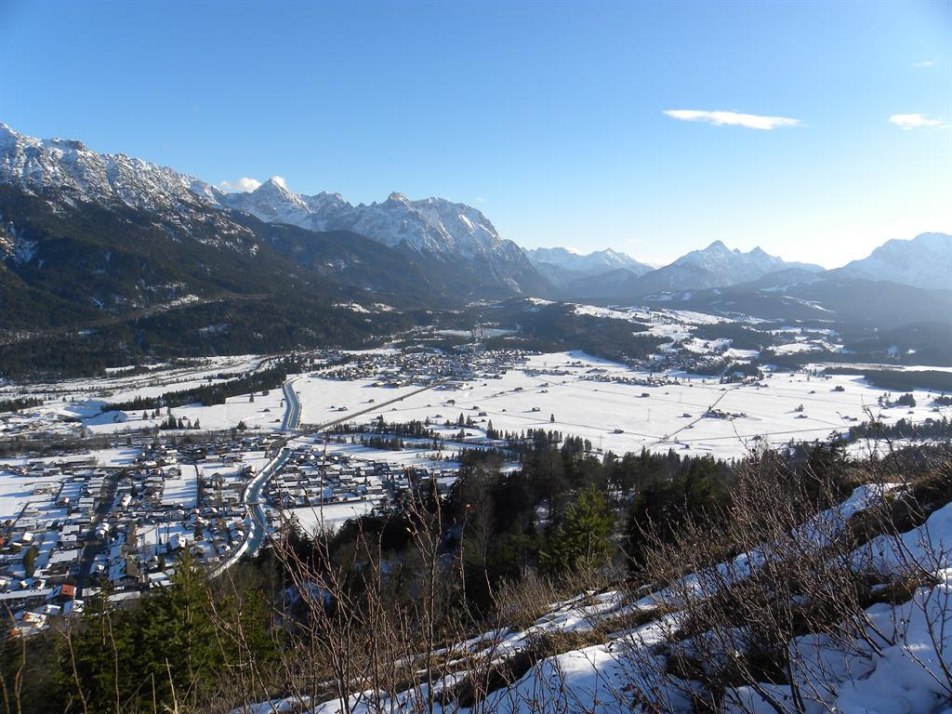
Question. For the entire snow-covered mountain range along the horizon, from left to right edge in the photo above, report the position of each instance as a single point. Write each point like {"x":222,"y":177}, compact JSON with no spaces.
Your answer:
{"x":454,"y":242}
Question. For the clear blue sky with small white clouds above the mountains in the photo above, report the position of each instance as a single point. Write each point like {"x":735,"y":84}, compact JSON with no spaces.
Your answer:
{"x":585,"y":124}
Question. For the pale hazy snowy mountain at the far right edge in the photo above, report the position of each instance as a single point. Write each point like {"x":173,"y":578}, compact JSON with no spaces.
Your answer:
{"x":925,"y":261}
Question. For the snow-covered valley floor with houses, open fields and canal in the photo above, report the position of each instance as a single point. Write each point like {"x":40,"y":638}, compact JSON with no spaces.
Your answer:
{"x":95,"y":499}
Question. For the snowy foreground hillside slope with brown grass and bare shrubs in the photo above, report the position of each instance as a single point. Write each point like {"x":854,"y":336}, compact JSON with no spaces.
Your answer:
{"x":716,"y":638}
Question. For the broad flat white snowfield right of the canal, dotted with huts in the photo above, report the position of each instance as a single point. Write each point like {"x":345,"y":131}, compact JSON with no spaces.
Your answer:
{"x":574,"y":393}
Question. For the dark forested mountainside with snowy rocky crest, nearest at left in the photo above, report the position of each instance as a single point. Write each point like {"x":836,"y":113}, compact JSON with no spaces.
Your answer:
{"x":146,"y":234}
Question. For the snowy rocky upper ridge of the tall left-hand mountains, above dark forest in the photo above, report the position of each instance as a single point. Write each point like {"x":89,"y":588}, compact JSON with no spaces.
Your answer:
{"x":454,"y":242}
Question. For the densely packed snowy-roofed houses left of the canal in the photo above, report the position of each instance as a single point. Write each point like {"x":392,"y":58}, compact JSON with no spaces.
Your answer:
{"x":72,"y":527}
